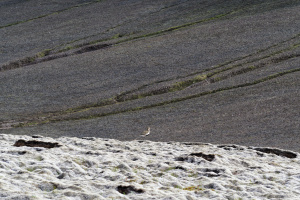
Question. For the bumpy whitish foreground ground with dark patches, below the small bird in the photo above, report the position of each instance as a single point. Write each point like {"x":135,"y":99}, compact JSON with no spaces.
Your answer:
{"x":95,"y":168}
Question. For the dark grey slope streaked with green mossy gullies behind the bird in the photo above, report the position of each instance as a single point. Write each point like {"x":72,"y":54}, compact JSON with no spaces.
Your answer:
{"x":205,"y":71}
